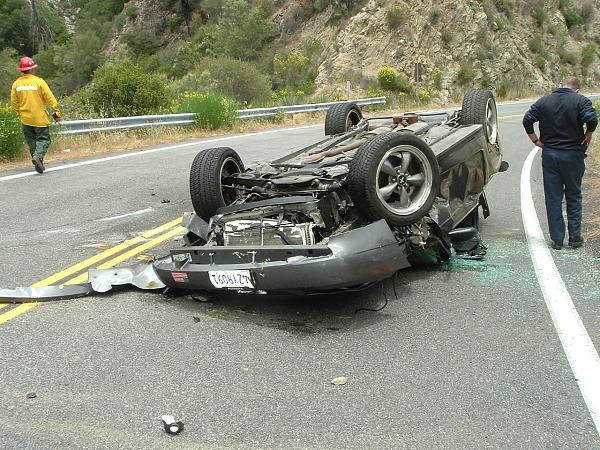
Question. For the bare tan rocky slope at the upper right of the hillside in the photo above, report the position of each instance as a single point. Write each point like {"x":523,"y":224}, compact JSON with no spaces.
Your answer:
{"x":500,"y":43}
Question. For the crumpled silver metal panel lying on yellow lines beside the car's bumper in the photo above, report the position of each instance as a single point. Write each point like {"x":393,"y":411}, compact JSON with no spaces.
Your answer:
{"x":141,"y":275}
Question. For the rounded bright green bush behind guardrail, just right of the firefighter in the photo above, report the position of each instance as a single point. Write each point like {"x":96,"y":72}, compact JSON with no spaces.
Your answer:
{"x":124,"y":89}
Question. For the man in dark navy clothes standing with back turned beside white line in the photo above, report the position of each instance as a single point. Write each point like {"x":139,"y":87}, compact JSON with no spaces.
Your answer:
{"x":563,"y":140}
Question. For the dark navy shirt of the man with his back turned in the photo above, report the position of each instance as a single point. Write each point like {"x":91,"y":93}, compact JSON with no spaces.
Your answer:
{"x":562,"y":115}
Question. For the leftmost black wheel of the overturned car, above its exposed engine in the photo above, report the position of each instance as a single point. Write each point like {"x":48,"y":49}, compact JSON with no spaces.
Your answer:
{"x":210,"y":170}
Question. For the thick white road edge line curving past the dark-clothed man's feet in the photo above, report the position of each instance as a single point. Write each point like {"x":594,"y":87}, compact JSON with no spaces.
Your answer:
{"x":581,"y":353}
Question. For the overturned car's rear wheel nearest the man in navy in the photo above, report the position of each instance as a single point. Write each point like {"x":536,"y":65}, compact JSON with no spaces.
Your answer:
{"x":479,"y":108}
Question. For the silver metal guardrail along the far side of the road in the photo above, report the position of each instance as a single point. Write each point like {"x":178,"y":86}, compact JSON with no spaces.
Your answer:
{"x":130,"y":123}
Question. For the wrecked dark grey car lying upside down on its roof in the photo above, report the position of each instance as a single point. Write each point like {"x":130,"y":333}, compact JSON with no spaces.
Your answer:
{"x":375,"y":196}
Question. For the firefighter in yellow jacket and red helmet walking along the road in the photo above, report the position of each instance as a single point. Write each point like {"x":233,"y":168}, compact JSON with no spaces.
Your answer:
{"x":29,"y":97}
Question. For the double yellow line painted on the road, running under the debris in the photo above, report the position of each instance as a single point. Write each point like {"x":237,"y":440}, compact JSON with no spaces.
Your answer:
{"x":137,"y":245}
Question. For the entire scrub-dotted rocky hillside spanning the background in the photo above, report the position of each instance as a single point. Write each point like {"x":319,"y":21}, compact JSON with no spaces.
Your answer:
{"x":301,"y":47}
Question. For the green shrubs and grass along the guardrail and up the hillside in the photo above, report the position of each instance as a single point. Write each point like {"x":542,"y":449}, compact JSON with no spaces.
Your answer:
{"x":211,"y":57}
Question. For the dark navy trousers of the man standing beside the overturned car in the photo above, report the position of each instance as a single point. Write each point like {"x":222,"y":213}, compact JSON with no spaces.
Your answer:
{"x":563,"y":171}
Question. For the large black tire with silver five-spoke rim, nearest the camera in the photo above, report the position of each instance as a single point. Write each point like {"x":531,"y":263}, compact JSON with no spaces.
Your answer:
{"x":386,"y":183}
